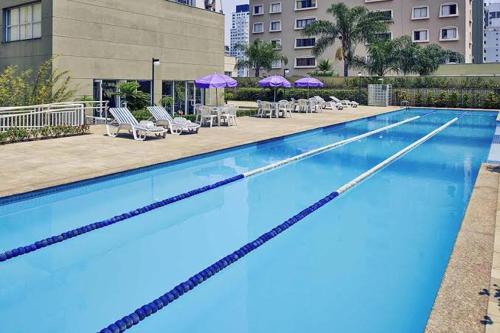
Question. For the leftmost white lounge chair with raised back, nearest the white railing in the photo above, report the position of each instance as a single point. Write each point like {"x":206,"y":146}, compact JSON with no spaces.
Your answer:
{"x":125,"y":120}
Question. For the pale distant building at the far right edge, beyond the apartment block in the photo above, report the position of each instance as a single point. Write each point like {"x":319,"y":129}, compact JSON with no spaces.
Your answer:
{"x":491,"y":31}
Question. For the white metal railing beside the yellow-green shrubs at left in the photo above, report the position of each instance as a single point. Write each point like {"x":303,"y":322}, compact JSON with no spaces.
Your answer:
{"x":45,"y":115}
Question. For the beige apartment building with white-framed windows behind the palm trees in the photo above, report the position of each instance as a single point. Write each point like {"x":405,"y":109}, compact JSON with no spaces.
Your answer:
{"x":444,"y":22}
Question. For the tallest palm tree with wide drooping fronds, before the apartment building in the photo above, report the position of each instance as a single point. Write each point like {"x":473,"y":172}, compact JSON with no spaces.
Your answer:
{"x":351,"y":26}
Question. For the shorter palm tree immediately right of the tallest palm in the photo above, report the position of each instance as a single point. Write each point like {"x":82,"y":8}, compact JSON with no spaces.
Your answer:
{"x":381,"y":59}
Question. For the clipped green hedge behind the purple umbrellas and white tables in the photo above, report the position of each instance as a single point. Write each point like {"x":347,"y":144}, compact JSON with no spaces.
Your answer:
{"x":254,"y":94}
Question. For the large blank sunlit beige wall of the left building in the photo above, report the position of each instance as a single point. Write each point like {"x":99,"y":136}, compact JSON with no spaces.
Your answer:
{"x":111,"y":39}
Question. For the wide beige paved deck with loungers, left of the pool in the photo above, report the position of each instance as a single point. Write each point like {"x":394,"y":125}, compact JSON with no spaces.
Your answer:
{"x":35,"y":165}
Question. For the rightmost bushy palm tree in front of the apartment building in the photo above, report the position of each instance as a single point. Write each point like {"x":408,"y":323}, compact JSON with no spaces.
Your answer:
{"x":430,"y":57}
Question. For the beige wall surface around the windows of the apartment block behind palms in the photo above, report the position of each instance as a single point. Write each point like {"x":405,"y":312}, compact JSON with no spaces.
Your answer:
{"x":401,"y":25}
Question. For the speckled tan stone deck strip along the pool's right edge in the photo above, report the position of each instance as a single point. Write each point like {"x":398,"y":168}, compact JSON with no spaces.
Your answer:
{"x":462,"y":304}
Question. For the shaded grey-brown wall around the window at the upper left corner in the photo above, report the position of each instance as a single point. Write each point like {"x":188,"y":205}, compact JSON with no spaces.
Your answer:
{"x":27,"y":54}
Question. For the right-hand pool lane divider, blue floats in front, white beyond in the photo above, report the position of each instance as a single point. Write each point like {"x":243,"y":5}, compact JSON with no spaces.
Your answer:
{"x":181,"y":289}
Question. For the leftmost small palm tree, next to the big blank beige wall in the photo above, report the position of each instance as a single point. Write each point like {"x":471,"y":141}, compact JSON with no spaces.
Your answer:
{"x":259,"y":55}
